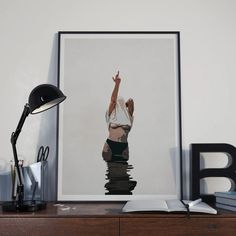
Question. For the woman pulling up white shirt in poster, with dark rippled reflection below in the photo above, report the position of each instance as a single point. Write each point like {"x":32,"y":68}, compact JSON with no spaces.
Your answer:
{"x":119,"y":118}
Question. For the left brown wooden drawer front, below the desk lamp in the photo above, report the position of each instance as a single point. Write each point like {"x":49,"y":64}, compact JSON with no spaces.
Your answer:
{"x":59,"y":226}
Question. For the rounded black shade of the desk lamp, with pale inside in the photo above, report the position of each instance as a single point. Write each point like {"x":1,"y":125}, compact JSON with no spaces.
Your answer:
{"x":44,"y":97}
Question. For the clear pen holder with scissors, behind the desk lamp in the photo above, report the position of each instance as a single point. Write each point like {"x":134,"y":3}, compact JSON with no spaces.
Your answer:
{"x":35,"y":181}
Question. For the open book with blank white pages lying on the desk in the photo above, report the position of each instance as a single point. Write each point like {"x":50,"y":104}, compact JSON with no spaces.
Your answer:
{"x":172,"y":205}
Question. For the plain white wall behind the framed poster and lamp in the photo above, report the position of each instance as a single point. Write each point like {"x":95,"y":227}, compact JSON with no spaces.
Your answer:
{"x":28,"y":57}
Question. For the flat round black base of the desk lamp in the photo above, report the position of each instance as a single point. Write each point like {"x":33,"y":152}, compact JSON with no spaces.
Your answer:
{"x":25,"y":206}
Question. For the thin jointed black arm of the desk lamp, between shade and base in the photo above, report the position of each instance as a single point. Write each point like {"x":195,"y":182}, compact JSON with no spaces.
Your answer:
{"x":14,"y":137}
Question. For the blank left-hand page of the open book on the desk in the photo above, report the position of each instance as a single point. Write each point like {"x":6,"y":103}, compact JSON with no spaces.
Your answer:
{"x":145,"y":205}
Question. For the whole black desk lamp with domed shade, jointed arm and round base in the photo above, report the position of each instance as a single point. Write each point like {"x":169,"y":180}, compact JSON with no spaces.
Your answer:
{"x":42,"y":97}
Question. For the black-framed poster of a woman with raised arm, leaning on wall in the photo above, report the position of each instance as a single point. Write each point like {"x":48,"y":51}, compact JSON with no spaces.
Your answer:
{"x":120,"y":128}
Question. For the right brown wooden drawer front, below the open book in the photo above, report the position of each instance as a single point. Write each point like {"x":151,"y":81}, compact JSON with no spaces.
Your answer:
{"x":177,"y":226}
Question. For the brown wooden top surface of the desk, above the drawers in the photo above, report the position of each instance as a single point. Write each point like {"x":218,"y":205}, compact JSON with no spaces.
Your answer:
{"x":101,"y":209}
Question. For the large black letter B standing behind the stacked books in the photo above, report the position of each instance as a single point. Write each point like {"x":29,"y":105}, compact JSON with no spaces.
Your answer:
{"x":196,"y":174}
